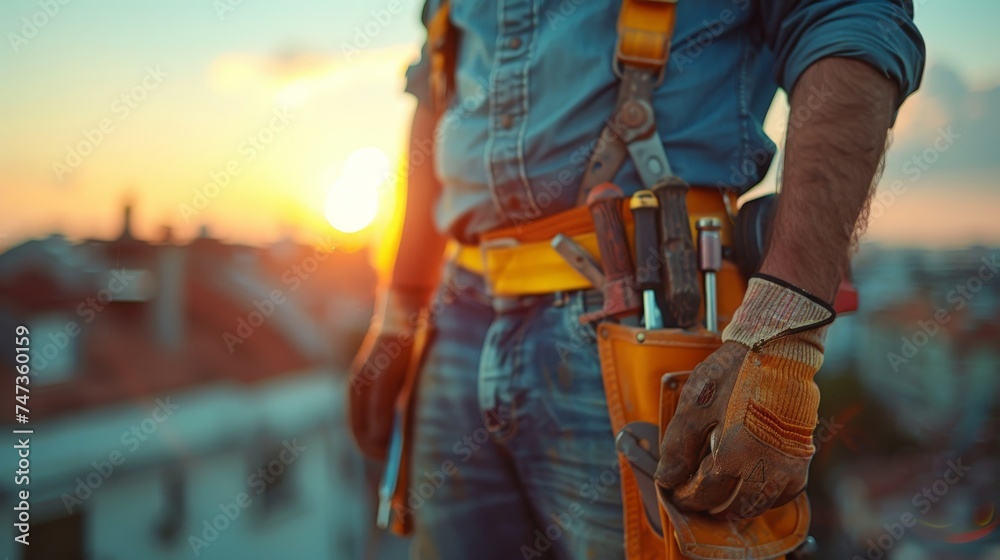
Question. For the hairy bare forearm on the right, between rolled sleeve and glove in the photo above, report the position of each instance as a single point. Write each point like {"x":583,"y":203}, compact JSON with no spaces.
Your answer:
{"x":841,"y":110}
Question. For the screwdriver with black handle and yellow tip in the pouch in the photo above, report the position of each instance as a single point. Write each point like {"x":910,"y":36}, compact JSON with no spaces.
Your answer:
{"x":645,"y":210}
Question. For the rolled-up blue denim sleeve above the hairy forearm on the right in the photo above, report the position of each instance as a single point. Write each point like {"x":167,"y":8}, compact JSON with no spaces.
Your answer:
{"x":878,"y":32}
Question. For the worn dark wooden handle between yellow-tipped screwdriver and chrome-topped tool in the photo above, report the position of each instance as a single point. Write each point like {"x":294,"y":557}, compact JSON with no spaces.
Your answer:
{"x":681,"y":277}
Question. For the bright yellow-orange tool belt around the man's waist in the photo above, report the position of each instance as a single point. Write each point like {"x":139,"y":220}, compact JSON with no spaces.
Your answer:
{"x":520,"y":260}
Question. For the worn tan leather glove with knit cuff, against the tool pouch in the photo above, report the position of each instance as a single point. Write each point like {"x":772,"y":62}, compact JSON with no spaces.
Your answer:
{"x":741,"y":442}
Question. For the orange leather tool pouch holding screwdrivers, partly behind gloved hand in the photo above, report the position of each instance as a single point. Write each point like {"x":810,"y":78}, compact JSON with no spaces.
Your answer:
{"x":636,"y":365}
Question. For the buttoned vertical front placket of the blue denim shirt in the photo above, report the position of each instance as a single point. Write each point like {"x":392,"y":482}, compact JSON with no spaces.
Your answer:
{"x":508,"y":108}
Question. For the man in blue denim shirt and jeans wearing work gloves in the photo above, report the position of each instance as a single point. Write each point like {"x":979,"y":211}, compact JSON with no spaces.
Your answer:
{"x":512,"y":430}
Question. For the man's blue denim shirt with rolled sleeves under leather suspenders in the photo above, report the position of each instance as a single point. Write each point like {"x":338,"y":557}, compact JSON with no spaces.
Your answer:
{"x":535,"y":86}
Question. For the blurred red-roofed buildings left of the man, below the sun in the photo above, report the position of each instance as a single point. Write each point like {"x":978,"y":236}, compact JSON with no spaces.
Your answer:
{"x":185,"y":400}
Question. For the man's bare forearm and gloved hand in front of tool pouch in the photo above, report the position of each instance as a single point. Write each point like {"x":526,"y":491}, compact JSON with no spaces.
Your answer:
{"x":741,"y":440}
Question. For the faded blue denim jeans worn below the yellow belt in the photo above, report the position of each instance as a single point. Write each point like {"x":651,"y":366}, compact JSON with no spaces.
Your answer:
{"x":514,"y":455}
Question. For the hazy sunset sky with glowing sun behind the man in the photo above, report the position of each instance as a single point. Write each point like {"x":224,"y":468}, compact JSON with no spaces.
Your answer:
{"x":246,"y":115}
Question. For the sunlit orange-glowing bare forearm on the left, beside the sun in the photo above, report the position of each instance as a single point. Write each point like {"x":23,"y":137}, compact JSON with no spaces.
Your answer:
{"x":421,"y":246}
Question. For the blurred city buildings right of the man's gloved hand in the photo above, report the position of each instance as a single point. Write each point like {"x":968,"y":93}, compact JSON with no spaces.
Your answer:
{"x":923,"y":351}
